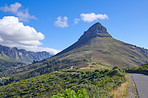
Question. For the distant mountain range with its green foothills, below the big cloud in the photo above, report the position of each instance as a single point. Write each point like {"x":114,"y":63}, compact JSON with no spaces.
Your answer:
{"x":13,"y":58}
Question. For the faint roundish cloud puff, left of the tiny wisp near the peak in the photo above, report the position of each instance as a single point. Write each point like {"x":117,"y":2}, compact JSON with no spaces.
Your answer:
{"x":61,"y":22}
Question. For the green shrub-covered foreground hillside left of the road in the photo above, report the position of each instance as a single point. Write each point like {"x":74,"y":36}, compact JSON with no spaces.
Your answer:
{"x":98,"y":83}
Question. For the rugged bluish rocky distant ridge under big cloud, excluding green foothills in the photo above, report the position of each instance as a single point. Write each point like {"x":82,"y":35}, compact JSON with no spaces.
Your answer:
{"x":21,"y":55}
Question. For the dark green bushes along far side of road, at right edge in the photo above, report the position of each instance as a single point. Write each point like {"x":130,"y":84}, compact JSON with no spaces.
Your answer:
{"x":143,"y":69}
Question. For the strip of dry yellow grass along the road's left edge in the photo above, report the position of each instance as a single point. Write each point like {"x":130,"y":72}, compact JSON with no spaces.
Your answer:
{"x":121,"y":91}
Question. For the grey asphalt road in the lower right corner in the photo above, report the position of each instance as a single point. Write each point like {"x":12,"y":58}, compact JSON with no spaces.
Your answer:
{"x":141,"y":82}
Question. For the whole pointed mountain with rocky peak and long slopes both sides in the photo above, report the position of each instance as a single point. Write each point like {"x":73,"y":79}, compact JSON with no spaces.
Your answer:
{"x":96,"y":48}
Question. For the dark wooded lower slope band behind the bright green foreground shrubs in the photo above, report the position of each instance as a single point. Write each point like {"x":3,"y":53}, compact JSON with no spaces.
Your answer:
{"x":34,"y":70}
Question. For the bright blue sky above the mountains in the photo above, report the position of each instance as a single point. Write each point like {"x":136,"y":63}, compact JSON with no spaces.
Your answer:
{"x":125,"y":20}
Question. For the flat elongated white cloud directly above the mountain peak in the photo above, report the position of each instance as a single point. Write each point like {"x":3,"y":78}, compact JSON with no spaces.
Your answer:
{"x":92,"y":17}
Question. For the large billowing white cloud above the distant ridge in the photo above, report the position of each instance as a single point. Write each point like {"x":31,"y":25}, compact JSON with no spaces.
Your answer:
{"x":13,"y":33}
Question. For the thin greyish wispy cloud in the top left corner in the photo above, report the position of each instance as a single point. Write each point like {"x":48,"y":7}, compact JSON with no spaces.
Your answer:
{"x":16,"y":9}
